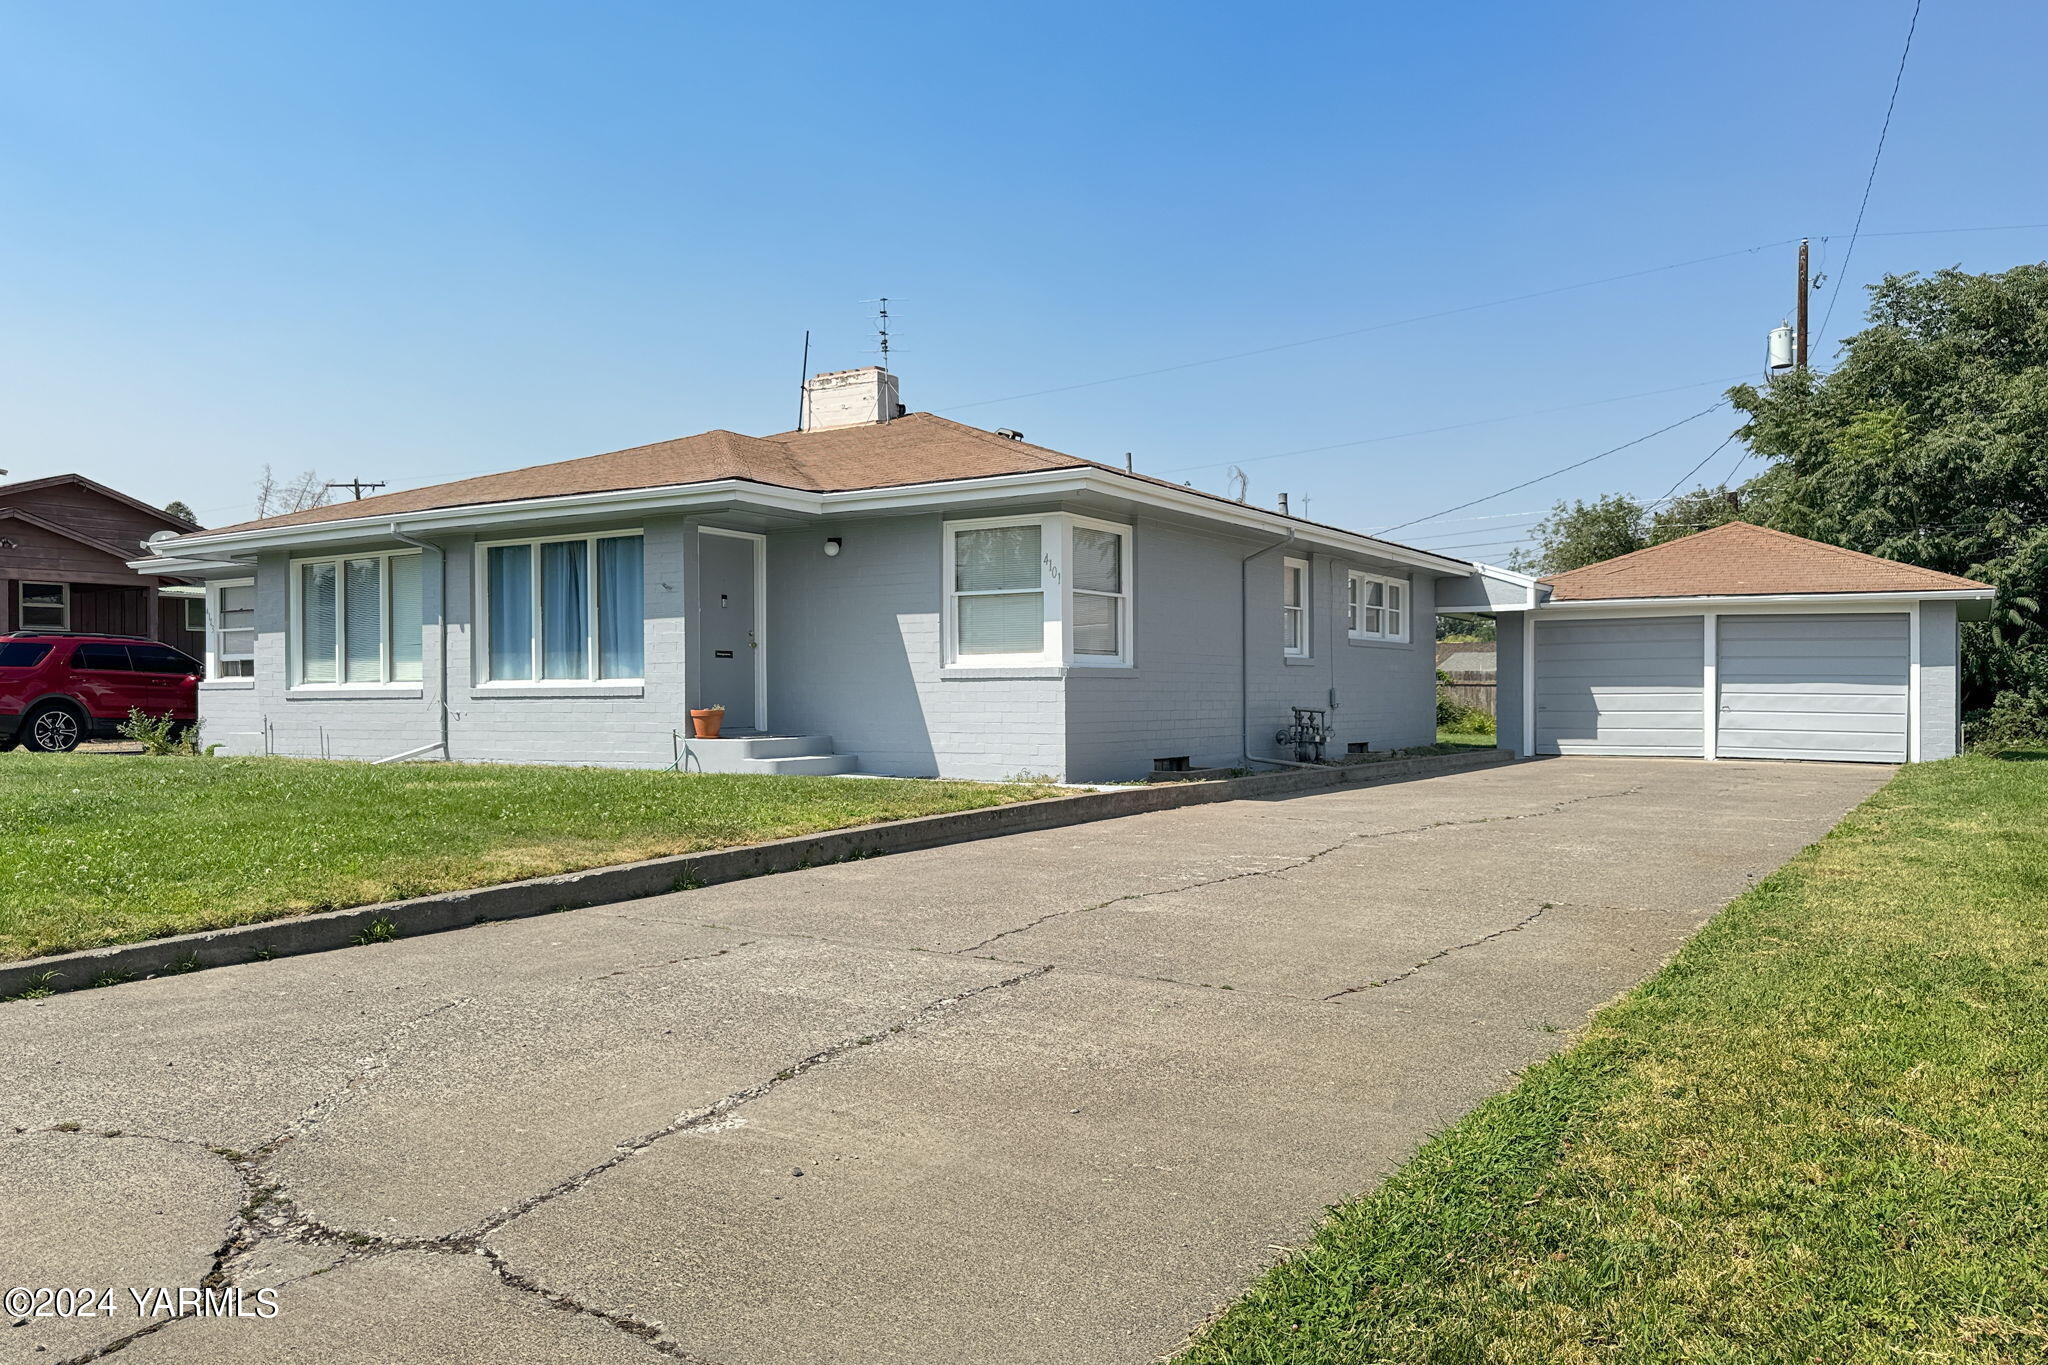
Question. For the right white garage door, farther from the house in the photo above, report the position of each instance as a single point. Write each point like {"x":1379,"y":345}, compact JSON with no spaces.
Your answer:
{"x":1814,"y":689}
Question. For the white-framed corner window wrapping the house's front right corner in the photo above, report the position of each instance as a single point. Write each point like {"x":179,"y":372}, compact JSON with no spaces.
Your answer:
{"x":1037,"y":590}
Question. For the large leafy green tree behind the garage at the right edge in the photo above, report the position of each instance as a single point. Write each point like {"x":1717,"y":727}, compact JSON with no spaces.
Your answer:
{"x":1930,"y":445}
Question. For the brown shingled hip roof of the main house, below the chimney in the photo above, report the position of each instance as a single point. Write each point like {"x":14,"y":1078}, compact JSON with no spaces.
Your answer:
{"x":916,"y":449}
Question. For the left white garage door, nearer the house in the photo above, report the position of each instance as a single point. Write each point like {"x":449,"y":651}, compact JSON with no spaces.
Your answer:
{"x":1621,"y":687}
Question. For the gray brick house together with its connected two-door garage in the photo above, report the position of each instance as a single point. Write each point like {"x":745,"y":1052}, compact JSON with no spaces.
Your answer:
{"x":894,"y":592}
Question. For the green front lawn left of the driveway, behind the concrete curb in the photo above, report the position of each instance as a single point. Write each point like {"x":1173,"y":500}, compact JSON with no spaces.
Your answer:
{"x":110,"y":850}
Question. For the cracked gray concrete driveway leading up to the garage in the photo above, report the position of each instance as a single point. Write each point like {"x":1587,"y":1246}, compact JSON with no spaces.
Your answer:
{"x":1048,"y":1098}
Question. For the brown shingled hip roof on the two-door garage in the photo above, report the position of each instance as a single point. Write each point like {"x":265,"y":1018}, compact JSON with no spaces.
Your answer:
{"x":1746,"y":562}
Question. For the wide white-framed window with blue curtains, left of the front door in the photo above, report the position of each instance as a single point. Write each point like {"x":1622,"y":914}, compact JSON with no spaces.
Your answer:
{"x":564,"y":609}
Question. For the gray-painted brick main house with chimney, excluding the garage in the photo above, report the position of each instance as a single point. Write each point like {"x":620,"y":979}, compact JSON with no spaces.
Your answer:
{"x":873,"y":592}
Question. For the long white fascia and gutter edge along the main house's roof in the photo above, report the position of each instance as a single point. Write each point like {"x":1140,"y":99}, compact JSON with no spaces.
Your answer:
{"x":796,"y":502}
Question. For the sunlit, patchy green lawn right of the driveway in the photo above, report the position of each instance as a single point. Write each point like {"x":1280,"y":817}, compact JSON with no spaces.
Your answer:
{"x":1822,"y":1135}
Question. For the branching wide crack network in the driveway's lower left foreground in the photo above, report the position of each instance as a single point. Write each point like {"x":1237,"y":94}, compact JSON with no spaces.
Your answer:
{"x":267,"y":1215}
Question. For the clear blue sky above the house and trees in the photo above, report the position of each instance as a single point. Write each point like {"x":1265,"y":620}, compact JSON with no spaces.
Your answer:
{"x":413,"y":243}
